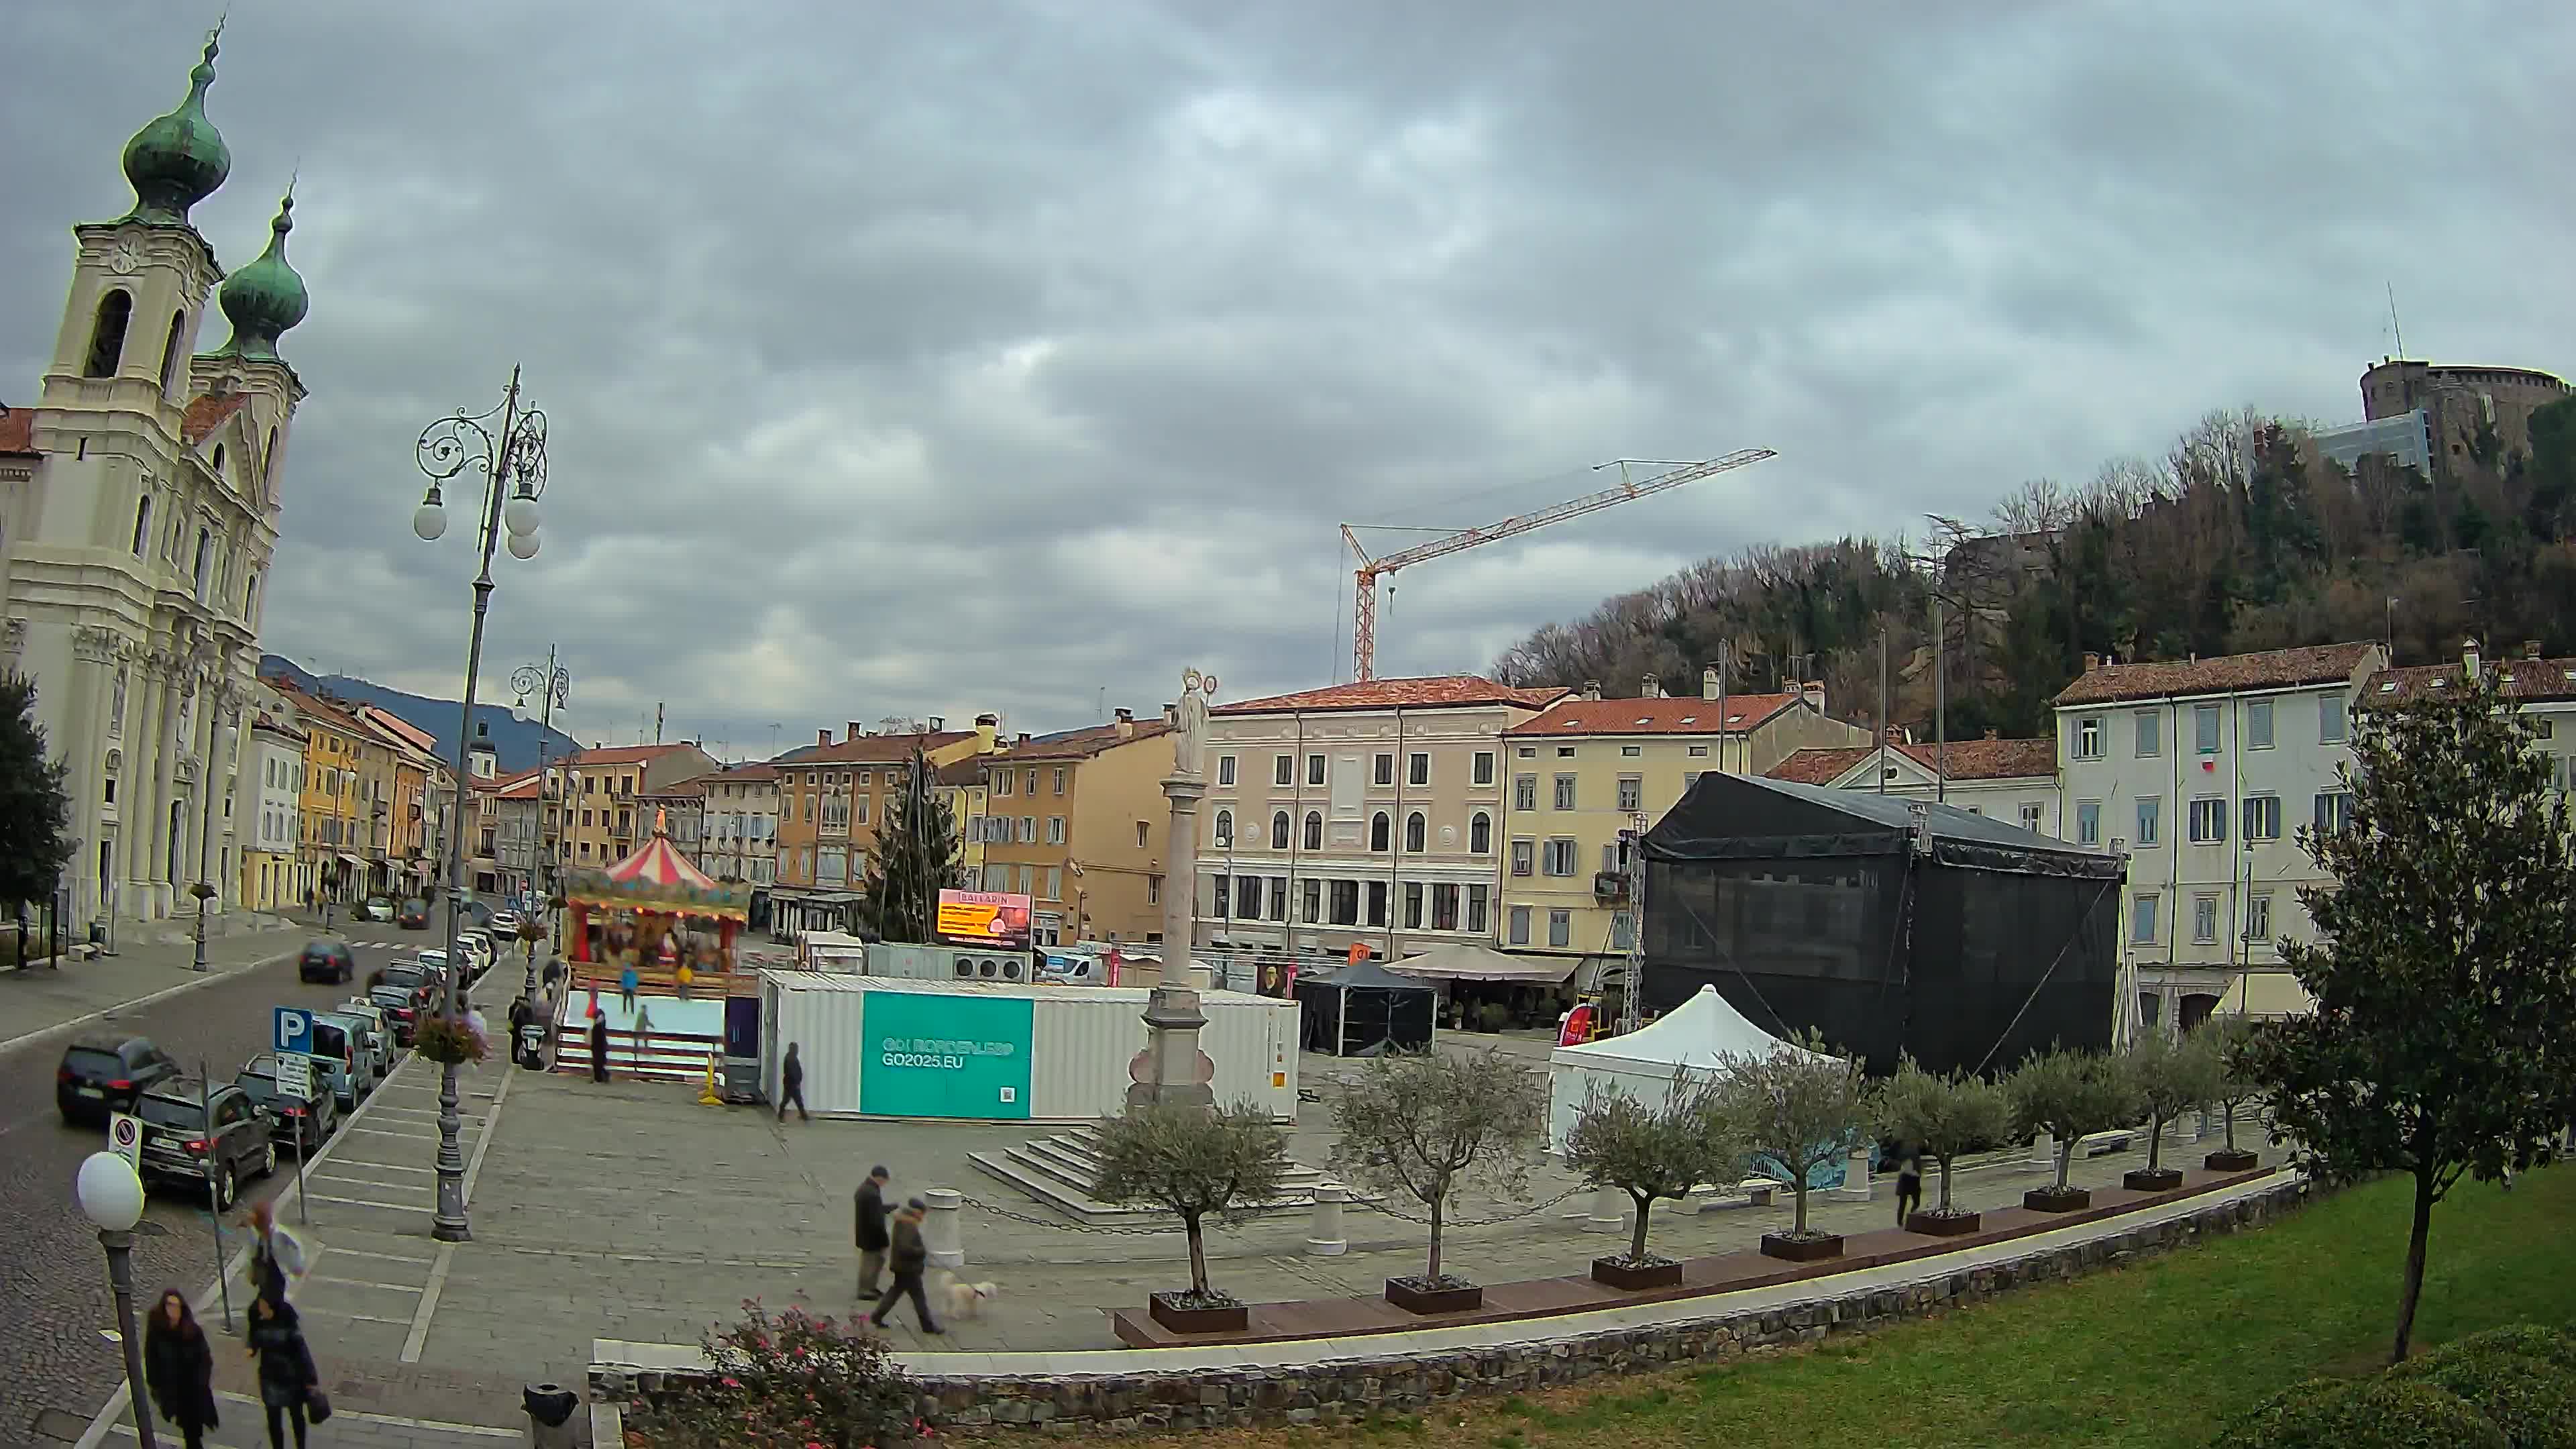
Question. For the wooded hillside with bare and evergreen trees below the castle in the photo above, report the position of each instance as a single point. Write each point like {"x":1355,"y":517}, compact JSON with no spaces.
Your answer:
{"x":2240,"y":538}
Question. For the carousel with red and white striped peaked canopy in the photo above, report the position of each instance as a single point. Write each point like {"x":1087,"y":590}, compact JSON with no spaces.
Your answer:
{"x":658,"y":914}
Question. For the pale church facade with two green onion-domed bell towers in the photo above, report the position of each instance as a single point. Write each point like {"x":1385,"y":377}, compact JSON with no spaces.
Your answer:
{"x":140,"y":501}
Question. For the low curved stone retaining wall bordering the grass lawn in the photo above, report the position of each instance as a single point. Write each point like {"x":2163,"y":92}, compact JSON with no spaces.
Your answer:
{"x":1410,"y":1383}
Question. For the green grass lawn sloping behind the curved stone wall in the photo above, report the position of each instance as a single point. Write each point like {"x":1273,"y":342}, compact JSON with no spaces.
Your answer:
{"x":2145,"y":1355}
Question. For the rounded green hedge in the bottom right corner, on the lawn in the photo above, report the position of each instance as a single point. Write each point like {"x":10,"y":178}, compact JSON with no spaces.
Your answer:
{"x":2508,"y":1388}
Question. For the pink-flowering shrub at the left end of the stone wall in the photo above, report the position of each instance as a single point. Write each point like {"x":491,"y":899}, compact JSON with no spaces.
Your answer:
{"x":795,"y":1381}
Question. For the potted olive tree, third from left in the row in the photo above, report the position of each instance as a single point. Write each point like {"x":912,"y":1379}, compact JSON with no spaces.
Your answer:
{"x":1653,"y":1154}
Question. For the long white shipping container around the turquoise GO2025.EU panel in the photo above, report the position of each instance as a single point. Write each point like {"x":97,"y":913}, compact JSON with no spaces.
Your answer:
{"x":1083,"y":1043}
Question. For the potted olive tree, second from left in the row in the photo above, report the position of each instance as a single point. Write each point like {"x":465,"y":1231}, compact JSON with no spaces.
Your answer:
{"x":1431,"y":1125}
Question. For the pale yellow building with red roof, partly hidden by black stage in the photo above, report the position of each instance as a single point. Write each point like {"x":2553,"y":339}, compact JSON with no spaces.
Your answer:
{"x":1593,"y":770}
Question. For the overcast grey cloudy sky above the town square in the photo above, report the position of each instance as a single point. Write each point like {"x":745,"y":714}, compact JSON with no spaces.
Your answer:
{"x":926,"y":360}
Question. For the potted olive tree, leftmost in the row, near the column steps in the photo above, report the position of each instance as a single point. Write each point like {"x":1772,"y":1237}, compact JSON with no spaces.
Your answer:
{"x":1194,"y":1164}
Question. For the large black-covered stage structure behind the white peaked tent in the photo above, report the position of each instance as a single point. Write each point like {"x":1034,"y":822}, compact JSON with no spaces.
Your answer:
{"x":1882,"y":922}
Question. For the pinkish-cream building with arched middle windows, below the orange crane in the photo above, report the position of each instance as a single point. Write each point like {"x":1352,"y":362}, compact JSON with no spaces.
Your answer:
{"x":1359,"y":816}
